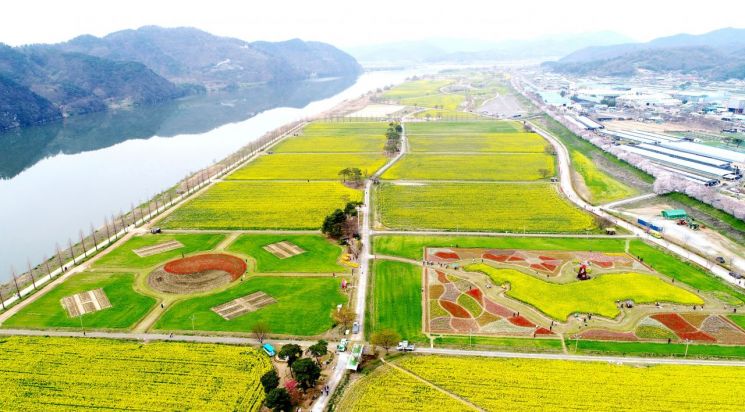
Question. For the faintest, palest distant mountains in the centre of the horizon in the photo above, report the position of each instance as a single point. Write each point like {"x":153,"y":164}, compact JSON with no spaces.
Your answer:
{"x":447,"y":50}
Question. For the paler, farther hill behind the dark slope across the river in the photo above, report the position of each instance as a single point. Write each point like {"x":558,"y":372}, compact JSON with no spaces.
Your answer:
{"x":193,"y":56}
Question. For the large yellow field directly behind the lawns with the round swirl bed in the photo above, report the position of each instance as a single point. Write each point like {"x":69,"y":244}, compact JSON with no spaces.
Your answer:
{"x":262,"y":205}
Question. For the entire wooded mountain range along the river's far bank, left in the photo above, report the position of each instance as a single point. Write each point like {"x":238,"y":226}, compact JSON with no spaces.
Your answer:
{"x":46,"y":82}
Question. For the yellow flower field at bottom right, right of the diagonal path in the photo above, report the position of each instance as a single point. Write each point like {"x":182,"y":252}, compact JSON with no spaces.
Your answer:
{"x":529,"y":384}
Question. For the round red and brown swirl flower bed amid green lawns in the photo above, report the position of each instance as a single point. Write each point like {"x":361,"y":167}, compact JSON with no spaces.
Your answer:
{"x":196,"y":273}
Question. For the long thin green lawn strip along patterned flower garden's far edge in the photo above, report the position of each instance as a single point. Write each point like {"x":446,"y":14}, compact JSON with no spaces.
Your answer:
{"x":412,"y":246}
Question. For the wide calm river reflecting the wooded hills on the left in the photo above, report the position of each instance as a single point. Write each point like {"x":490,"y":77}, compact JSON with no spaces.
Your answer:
{"x":59,"y":178}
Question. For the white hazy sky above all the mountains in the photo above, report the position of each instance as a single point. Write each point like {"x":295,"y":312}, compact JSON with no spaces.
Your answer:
{"x":352,"y":23}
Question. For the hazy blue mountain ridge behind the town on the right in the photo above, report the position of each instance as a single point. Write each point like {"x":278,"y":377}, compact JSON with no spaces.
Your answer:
{"x":718,"y":55}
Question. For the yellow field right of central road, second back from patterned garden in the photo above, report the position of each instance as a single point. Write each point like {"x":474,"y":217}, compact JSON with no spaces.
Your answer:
{"x":508,"y":167}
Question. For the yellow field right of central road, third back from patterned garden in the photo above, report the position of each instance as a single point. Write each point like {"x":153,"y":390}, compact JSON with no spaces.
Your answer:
{"x":511,"y":142}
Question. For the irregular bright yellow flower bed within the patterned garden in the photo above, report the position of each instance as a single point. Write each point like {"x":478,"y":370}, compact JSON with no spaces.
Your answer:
{"x":597,"y":295}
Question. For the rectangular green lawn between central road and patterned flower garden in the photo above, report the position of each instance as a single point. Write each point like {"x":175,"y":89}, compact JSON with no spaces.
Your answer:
{"x":397,"y":299}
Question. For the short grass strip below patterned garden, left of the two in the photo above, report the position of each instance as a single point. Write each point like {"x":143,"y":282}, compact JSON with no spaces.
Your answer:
{"x":498,"y":343}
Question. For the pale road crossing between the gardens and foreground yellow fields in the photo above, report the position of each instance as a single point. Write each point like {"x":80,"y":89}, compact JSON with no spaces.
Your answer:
{"x":437,"y":351}
